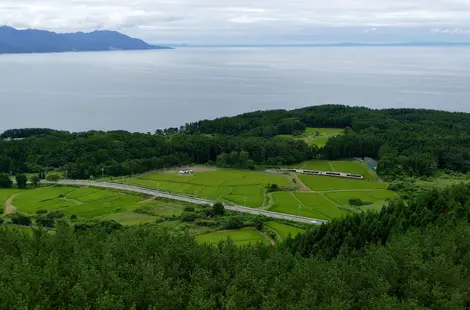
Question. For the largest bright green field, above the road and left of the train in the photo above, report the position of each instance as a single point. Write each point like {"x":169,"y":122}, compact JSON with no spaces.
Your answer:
{"x":230,"y":185}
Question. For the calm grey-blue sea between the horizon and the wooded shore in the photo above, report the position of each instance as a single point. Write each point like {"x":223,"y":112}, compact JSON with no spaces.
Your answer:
{"x":143,"y":91}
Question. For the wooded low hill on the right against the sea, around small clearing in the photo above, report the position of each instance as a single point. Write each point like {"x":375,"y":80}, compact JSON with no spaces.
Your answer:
{"x":412,"y":142}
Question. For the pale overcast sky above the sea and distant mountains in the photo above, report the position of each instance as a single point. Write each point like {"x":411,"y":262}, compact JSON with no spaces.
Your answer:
{"x":250,"y":21}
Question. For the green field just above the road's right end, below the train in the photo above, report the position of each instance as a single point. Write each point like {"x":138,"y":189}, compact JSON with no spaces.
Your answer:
{"x":287,"y":202}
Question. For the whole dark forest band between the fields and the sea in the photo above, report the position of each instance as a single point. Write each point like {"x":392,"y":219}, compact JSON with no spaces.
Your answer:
{"x":405,"y":141}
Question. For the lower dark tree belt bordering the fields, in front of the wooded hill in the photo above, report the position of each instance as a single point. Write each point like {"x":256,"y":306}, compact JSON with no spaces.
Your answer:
{"x":119,"y":153}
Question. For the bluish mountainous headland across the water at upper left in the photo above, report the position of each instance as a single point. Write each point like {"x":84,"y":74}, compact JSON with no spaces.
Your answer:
{"x":14,"y":41}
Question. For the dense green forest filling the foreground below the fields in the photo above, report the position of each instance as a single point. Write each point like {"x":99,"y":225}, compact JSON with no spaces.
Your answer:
{"x":420,"y":261}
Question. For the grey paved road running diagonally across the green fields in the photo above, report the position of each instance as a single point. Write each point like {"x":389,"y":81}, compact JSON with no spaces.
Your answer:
{"x":193,"y":200}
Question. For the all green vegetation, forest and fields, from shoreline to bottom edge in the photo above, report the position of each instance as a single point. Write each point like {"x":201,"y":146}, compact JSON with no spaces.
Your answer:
{"x":395,"y":240}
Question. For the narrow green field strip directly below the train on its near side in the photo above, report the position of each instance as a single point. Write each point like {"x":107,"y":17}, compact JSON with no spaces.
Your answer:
{"x":323,"y":183}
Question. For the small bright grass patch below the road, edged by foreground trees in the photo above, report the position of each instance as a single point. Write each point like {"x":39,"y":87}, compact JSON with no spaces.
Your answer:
{"x":239,"y":237}
